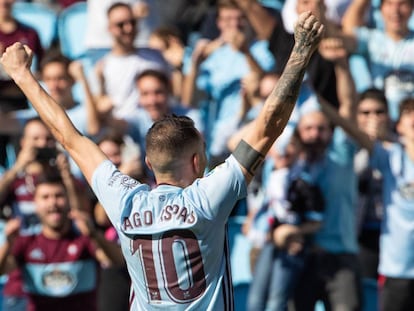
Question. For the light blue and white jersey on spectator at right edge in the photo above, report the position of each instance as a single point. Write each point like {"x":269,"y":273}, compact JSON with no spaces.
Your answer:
{"x":397,"y":230}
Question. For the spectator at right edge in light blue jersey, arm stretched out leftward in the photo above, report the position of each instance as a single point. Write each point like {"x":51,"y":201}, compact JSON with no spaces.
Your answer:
{"x":393,"y":160}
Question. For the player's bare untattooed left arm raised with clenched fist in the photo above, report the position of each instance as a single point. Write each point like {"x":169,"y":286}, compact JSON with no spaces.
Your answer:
{"x":16,"y":61}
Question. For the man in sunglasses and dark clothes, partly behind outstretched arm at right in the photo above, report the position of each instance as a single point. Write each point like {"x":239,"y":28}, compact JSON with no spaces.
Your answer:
{"x":373,"y":119}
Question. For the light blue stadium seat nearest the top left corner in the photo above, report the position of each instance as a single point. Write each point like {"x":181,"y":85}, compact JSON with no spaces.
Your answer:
{"x":40,"y":17}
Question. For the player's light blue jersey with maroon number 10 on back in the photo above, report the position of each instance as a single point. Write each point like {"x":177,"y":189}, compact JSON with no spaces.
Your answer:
{"x":174,"y":239}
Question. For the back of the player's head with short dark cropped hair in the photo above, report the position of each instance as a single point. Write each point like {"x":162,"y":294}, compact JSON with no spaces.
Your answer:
{"x":169,"y":140}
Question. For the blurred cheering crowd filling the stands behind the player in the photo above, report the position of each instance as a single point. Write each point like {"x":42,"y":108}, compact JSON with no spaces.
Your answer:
{"x":334,"y":201}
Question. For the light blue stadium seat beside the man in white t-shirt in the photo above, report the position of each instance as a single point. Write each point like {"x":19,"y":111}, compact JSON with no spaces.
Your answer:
{"x":71,"y":30}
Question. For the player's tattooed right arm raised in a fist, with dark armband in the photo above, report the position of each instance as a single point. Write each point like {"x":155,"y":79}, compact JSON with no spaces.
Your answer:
{"x":280,"y":103}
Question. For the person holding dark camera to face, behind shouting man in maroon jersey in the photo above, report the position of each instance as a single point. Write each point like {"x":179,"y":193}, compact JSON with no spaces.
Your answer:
{"x":38,"y":155}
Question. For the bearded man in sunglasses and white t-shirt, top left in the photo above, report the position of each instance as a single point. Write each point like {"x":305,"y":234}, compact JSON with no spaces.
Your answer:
{"x":117,"y":70}
